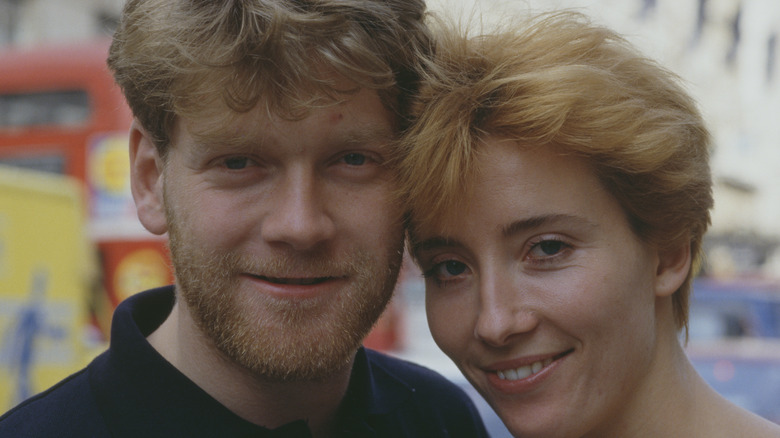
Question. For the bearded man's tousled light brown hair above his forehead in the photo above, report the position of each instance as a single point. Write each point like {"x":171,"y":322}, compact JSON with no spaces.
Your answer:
{"x":184,"y":57}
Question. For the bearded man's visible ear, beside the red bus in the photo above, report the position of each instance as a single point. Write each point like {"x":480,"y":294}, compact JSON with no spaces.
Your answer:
{"x":146,"y":180}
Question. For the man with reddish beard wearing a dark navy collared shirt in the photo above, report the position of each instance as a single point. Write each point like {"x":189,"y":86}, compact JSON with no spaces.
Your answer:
{"x":262,"y":145}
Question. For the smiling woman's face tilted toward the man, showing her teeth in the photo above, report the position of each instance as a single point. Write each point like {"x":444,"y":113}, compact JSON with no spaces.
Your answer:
{"x":541,"y":293}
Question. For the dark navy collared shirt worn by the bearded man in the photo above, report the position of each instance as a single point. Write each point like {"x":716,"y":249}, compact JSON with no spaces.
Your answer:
{"x":132,"y":391}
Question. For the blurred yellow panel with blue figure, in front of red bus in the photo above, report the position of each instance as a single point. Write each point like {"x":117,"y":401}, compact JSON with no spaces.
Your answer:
{"x":46,"y":273}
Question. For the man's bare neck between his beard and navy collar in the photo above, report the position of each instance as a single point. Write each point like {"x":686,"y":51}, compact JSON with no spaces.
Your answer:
{"x":265,"y":403}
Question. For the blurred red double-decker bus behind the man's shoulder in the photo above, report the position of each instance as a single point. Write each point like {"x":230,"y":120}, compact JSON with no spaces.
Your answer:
{"x":61,"y":112}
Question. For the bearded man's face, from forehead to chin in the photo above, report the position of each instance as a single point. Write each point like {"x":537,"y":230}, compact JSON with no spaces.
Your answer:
{"x":284,"y":240}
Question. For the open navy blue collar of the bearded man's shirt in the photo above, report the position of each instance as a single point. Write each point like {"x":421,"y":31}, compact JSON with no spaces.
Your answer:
{"x":134,"y":381}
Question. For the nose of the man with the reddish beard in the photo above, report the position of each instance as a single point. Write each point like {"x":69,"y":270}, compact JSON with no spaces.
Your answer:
{"x":299,"y":215}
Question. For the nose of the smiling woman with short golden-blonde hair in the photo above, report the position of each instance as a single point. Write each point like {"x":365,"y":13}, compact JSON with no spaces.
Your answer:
{"x":503,"y":311}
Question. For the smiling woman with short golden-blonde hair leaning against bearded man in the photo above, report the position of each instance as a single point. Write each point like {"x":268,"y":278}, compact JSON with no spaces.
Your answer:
{"x":559,"y":189}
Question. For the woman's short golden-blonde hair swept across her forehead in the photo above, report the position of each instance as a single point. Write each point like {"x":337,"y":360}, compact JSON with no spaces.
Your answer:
{"x":560,"y":81}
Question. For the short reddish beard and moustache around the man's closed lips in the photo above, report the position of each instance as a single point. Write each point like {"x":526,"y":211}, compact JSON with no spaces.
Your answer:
{"x":276,"y":339}
